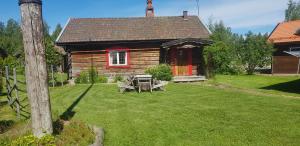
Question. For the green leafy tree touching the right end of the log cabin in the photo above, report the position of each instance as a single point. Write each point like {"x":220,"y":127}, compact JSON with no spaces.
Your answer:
{"x":221,"y":56}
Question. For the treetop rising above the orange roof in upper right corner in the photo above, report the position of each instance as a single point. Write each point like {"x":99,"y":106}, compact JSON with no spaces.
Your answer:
{"x":293,"y":11}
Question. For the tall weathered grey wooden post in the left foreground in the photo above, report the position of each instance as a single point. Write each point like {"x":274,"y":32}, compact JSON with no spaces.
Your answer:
{"x":36,"y":70}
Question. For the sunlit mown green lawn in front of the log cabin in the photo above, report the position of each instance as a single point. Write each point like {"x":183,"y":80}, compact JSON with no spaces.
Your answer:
{"x":187,"y":114}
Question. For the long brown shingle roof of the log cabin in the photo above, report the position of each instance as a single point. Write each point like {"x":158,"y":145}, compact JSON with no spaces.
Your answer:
{"x":131,"y":29}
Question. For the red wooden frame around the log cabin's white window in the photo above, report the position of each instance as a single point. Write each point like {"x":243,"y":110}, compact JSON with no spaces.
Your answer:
{"x":108,"y":50}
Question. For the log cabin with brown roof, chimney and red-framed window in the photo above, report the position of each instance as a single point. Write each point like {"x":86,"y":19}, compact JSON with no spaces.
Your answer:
{"x":131,"y":45}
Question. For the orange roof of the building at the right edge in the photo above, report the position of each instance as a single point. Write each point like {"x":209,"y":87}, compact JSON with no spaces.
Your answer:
{"x":286,"y":32}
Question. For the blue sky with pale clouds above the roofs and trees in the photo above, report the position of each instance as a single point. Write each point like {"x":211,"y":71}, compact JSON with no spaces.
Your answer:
{"x":240,"y":15}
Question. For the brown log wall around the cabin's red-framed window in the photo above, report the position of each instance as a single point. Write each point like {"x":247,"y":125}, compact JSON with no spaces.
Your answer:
{"x":139,"y":61}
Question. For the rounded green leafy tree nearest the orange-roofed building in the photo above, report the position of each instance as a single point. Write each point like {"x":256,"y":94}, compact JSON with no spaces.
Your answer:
{"x":256,"y":52}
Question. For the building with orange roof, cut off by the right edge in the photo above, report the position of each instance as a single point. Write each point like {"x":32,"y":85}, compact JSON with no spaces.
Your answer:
{"x":286,"y":40}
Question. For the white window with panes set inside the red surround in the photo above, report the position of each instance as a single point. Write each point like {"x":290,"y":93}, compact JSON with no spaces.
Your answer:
{"x":118,"y":58}
